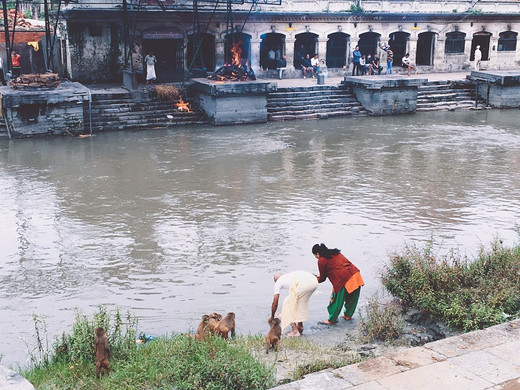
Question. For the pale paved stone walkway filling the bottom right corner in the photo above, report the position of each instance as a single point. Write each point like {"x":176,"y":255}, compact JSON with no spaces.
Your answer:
{"x":480,"y":360}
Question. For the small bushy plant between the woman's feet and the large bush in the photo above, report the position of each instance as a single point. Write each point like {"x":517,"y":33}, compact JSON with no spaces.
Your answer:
{"x":383,"y":322}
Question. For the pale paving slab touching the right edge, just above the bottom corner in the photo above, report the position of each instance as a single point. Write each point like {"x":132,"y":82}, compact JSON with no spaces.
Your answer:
{"x":488,"y":366}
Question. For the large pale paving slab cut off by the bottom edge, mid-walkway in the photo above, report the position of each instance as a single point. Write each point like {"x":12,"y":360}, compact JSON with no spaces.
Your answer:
{"x":443,"y":375}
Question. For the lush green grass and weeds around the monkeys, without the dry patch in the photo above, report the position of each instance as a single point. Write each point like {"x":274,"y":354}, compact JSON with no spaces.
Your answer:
{"x":171,"y":362}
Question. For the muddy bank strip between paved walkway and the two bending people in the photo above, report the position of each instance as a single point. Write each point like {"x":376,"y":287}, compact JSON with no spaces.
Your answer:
{"x":323,"y":345}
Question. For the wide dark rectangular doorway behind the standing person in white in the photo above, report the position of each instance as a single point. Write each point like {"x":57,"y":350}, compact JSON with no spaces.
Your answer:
{"x":170,"y":58}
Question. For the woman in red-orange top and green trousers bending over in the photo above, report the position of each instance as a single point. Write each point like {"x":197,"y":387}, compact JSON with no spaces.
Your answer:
{"x":345,"y":278}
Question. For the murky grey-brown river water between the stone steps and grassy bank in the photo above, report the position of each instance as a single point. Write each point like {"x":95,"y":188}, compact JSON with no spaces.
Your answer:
{"x":176,"y":223}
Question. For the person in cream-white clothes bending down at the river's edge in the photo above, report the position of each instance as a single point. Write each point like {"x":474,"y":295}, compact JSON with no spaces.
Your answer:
{"x":301,"y":285}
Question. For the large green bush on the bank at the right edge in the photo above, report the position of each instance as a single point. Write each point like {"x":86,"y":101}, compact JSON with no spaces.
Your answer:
{"x":467,"y":294}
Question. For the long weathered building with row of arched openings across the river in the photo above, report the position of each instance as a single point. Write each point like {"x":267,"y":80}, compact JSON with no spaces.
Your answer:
{"x":100,"y":40}
